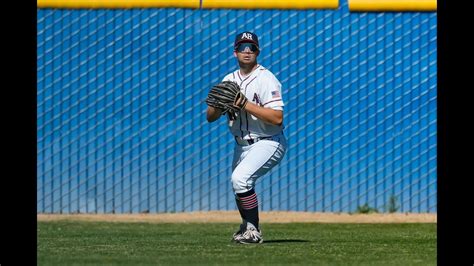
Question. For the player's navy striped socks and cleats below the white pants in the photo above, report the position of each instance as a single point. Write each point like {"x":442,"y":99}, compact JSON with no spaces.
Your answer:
{"x":247,"y":204}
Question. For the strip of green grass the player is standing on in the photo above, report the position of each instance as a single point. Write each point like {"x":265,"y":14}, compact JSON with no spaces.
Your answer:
{"x":102,"y":243}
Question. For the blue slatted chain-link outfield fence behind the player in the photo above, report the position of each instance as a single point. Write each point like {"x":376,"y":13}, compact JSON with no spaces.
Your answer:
{"x":121,"y":114}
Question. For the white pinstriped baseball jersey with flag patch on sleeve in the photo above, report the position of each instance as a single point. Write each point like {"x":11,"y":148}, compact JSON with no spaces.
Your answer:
{"x":260,"y":87}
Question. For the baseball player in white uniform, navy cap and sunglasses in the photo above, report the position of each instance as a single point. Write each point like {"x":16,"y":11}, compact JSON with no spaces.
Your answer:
{"x":258,"y":131}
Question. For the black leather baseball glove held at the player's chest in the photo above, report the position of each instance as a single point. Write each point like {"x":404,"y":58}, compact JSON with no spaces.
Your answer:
{"x":227,"y":97}
